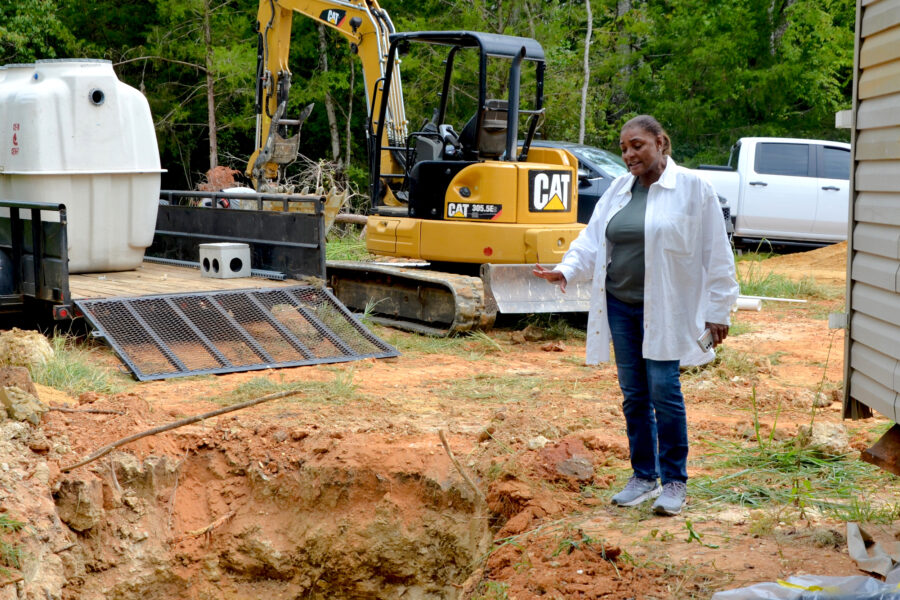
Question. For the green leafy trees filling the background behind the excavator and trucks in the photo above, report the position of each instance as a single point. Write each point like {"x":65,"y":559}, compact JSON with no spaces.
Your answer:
{"x":710,"y":72}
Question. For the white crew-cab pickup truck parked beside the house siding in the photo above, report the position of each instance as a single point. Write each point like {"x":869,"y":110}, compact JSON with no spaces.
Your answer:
{"x":787,"y":191}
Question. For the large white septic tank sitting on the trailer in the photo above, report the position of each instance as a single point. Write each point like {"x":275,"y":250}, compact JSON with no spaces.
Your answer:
{"x":73,"y":134}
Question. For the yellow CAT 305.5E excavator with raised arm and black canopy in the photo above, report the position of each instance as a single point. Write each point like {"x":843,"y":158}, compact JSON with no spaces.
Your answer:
{"x":477,"y":207}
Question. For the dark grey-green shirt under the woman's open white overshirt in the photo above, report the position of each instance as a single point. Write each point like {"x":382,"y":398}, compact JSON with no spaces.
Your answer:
{"x":625,"y":273}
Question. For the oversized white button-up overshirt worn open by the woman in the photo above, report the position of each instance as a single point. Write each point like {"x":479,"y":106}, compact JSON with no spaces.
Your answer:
{"x":689,"y":272}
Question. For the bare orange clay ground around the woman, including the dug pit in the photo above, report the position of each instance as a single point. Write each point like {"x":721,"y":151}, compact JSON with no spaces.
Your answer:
{"x":255,"y":503}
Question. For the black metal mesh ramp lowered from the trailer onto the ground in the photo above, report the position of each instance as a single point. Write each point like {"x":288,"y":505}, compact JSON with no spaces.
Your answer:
{"x":174,"y":335}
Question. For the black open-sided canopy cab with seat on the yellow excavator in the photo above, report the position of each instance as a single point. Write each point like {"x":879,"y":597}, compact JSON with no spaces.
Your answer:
{"x":430,"y":158}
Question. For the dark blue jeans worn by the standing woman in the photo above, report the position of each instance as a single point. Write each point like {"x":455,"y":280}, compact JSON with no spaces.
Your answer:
{"x":653,"y":405}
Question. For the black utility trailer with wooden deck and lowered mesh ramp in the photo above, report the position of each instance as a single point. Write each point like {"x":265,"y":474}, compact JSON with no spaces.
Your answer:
{"x":164,"y":318}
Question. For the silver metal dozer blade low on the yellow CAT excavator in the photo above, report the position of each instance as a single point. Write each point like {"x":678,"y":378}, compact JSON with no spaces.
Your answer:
{"x":515,"y":289}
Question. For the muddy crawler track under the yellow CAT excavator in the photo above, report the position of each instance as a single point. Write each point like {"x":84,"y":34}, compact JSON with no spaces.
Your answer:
{"x":430,"y":302}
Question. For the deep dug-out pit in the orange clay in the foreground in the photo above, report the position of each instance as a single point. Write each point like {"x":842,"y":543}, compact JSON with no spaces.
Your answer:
{"x":228,"y":521}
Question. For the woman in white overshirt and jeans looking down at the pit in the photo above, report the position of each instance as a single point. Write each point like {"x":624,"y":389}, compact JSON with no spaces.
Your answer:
{"x":662,"y":271}
